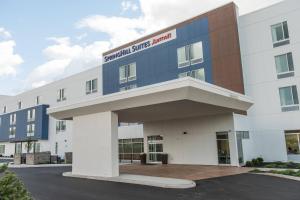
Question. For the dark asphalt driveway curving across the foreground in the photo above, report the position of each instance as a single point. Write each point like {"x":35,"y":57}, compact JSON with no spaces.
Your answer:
{"x":48,"y":184}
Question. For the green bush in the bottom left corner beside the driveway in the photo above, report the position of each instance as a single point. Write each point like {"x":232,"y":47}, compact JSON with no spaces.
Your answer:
{"x":11,"y":188}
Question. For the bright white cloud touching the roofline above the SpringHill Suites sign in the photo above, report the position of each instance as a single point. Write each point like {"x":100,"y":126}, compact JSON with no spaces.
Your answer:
{"x":156,"y":14}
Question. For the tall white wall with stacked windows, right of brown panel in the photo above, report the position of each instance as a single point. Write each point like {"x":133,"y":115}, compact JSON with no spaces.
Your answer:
{"x":260,"y":79}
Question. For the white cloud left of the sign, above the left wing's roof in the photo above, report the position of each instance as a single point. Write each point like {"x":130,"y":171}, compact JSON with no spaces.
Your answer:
{"x":65,"y":58}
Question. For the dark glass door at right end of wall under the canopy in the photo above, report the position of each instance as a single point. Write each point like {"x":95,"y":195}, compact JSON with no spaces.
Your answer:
{"x":223,"y":148}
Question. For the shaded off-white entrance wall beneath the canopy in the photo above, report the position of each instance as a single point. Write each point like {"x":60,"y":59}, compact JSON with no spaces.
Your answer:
{"x":199,"y":145}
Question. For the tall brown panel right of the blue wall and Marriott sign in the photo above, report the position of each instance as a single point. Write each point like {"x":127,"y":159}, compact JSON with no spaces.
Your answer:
{"x":225,"y":49}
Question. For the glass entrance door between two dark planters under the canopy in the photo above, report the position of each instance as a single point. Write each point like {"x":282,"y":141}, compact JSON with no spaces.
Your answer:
{"x":155,"y":148}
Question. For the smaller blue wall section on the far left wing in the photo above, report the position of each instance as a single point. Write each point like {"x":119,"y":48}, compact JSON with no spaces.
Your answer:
{"x":41,"y":124}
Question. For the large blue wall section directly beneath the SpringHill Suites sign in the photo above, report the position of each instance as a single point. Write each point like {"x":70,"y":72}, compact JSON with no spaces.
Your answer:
{"x":159,"y":63}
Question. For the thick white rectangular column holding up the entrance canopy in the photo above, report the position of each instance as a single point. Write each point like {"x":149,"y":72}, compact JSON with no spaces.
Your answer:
{"x":95,"y":145}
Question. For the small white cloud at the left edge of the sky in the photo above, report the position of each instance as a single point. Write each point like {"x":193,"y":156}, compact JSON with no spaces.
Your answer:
{"x":9,"y":61}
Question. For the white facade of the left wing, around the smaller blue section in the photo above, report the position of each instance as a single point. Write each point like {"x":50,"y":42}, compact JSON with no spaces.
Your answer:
{"x":58,"y":142}
